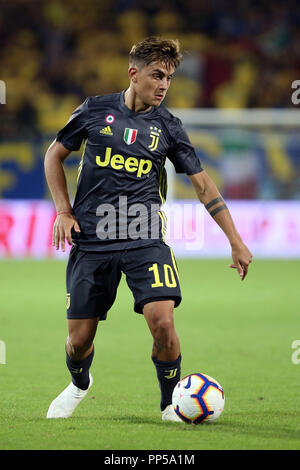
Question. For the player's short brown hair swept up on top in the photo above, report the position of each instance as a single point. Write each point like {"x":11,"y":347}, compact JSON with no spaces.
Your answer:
{"x":155,"y":49}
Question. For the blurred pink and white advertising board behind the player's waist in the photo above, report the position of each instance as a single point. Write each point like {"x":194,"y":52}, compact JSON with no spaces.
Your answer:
{"x":270,"y":229}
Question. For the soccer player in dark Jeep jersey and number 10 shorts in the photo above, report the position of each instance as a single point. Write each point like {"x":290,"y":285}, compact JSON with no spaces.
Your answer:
{"x":116,"y":225}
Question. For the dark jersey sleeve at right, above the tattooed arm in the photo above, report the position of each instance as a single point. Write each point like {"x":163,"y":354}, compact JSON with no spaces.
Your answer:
{"x":182,"y":153}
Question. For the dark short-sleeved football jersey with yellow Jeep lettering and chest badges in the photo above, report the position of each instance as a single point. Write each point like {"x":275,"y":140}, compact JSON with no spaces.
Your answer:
{"x":122,"y":180}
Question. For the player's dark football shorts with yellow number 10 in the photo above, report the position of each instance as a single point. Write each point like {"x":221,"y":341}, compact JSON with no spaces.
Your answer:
{"x":92,"y":279}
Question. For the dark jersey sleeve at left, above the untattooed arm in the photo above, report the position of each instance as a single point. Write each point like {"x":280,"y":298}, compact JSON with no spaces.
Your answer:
{"x":74,"y":132}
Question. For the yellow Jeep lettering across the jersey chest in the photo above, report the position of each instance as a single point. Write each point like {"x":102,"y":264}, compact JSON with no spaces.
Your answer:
{"x":131,"y":164}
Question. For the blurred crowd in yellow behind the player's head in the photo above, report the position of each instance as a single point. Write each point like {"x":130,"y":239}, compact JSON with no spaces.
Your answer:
{"x":54,"y":53}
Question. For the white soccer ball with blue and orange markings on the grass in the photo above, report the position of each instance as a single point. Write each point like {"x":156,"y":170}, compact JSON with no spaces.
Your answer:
{"x":197,"y":398}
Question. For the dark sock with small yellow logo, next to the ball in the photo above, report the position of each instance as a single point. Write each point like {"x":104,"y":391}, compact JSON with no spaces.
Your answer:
{"x":168,"y":374}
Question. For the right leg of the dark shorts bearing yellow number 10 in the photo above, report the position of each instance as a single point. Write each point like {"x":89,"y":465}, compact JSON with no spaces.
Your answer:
{"x":152,"y":275}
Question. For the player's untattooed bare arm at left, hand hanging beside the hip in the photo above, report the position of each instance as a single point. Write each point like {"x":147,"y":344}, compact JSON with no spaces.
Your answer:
{"x":56,"y":179}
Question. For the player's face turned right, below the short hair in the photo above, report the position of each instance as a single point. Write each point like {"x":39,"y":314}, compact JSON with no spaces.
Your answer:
{"x":151,"y":83}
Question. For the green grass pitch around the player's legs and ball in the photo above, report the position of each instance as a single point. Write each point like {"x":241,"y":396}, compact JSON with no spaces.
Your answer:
{"x":240,"y":333}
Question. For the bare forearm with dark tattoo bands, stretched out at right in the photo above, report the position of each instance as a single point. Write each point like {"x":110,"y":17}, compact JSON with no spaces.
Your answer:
{"x":209,"y":195}
